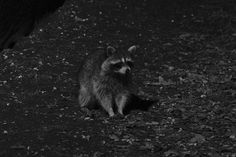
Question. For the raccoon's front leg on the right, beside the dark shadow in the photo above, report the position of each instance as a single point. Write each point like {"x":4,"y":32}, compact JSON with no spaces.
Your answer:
{"x":121,"y":100}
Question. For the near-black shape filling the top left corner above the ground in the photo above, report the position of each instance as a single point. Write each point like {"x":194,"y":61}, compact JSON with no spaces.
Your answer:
{"x":18,"y":18}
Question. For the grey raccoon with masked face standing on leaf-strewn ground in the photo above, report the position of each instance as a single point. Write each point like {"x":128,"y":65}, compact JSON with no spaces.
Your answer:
{"x":105,"y":79}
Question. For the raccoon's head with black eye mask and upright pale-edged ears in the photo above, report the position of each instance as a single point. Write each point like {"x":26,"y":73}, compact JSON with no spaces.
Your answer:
{"x":118,"y":62}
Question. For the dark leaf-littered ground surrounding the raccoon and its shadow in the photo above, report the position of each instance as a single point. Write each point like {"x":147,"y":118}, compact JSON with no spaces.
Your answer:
{"x":186,"y":60}
